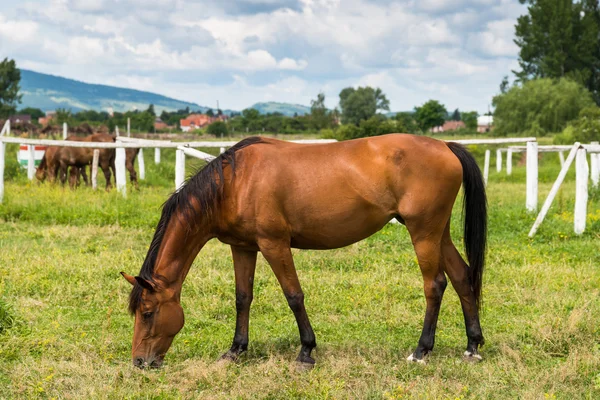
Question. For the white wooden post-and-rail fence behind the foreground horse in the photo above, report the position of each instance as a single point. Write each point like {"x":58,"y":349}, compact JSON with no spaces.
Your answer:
{"x":187,"y":149}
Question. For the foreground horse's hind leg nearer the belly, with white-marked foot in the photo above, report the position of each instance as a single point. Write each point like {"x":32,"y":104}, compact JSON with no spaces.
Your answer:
{"x":428,"y":249}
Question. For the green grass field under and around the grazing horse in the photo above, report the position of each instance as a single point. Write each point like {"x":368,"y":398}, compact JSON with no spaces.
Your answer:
{"x":65,"y":331}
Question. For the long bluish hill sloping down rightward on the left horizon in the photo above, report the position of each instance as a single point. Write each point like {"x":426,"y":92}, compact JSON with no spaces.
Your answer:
{"x":49,"y":92}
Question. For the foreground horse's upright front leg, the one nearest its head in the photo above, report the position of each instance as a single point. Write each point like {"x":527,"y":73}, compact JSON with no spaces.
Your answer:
{"x":244,"y":264}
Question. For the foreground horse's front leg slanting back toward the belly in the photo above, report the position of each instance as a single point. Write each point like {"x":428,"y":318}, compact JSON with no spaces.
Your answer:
{"x":279,"y":256}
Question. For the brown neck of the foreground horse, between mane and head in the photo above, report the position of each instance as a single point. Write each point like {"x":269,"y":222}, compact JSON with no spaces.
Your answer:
{"x":179,"y":248}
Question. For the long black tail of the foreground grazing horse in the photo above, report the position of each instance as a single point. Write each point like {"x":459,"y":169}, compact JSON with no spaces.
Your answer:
{"x":475,"y":216}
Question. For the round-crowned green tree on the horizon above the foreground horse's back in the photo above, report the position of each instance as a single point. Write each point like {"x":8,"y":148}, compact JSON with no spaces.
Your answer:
{"x":361,"y":104}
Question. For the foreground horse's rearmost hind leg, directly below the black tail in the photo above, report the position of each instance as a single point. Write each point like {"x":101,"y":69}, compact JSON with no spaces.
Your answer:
{"x":457,"y":271}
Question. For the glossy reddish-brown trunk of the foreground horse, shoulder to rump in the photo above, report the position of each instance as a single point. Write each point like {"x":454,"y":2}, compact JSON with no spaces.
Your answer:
{"x":331,"y":195}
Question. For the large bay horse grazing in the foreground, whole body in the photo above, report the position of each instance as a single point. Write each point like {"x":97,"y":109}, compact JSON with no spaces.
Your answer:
{"x":268,"y":195}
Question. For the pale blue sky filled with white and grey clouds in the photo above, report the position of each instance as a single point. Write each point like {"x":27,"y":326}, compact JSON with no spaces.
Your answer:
{"x":244,"y":51}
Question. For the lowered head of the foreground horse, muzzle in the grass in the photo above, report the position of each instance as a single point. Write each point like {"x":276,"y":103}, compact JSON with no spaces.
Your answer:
{"x":158,"y":318}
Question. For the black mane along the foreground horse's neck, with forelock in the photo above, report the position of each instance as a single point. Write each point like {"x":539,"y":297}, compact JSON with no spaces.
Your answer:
{"x":206,"y":190}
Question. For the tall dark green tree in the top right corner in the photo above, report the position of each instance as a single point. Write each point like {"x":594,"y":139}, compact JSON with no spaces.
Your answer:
{"x":560,"y":38}
